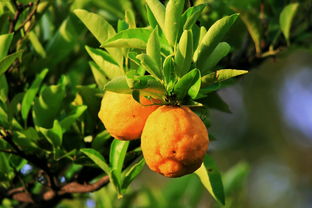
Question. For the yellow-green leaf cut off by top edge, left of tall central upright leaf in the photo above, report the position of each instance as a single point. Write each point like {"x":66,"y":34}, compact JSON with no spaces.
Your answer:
{"x":158,"y":11}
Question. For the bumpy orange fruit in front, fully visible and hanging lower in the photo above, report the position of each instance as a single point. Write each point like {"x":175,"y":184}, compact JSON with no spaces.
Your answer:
{"x":174,"y":141}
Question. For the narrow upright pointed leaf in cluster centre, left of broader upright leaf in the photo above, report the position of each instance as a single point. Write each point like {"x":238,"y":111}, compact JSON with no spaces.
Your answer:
{"x":153,"y":48}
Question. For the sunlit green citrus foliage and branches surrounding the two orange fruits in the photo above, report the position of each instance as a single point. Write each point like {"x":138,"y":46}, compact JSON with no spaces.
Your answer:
{"x":58,"y":57}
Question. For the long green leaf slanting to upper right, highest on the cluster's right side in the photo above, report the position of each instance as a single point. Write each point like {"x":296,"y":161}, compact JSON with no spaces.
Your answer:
{"x":211,"y":39}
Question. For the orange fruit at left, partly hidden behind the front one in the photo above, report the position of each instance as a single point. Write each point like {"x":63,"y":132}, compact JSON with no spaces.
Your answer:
{"x":122,"y":116}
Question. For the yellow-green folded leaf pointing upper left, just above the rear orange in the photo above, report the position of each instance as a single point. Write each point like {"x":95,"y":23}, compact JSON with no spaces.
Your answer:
{"x":107,"y":64}
